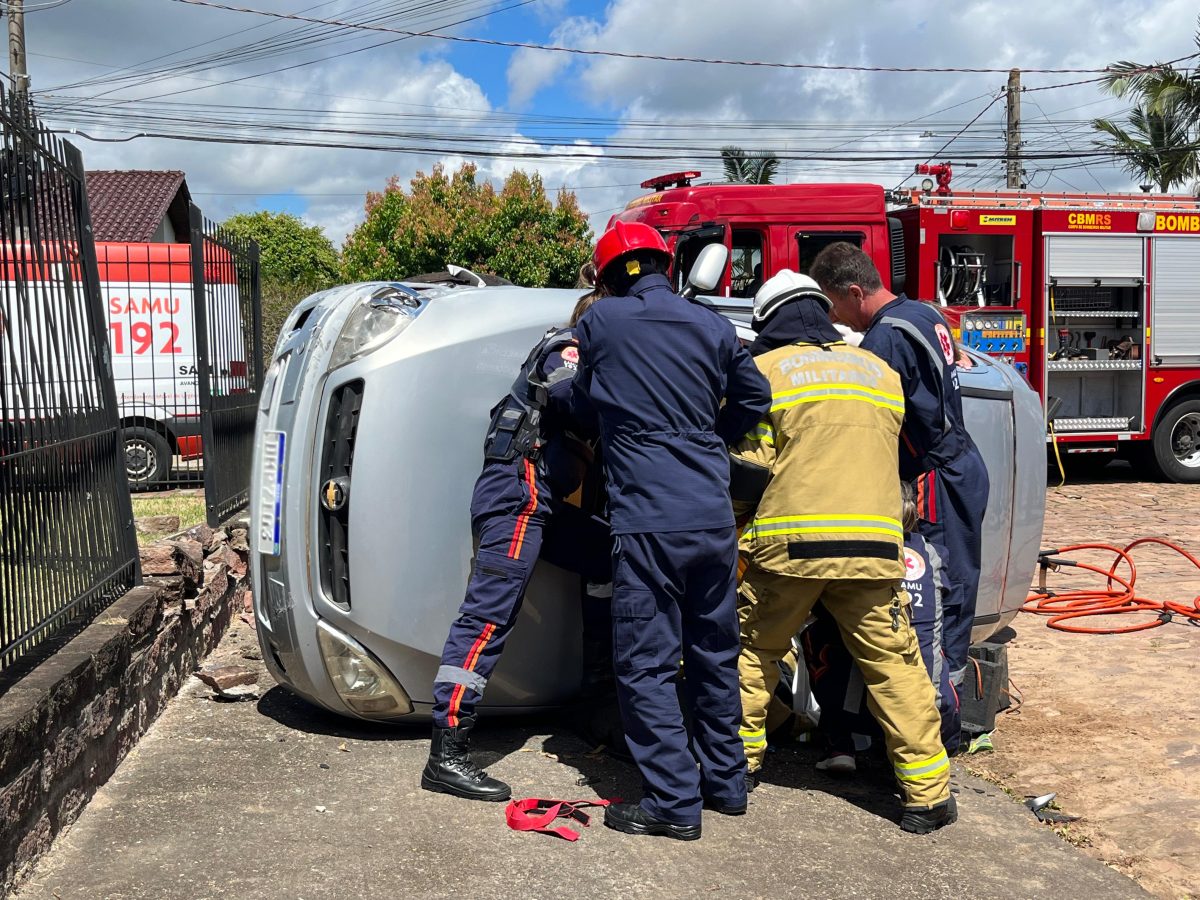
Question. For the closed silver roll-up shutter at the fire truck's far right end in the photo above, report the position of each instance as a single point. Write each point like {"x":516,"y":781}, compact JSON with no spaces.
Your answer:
{"x":1175,"y":319}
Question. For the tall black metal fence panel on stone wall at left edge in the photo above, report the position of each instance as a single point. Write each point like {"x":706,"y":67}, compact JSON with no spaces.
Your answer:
{"x":68,"y":547}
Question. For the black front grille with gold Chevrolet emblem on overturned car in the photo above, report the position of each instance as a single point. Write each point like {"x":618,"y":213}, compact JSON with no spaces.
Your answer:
{"x":337,"y":463}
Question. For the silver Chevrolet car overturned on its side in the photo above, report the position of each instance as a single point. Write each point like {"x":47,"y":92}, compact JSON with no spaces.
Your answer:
{"x":370,"y":439}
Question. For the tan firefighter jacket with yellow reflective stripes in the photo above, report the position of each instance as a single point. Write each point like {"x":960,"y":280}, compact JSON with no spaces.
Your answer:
{"x":832,"y":509}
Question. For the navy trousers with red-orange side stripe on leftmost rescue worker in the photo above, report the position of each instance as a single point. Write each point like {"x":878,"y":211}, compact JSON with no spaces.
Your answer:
{"x":515,"y":523}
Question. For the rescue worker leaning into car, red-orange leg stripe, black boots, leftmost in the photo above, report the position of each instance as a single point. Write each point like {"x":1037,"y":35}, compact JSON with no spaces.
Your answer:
{"x":533,"y":459}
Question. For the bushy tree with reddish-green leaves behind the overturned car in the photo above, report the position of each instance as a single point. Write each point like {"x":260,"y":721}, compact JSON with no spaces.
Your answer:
{"x":517,"y":233}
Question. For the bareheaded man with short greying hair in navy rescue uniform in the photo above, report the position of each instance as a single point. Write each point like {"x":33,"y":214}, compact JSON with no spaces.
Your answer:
{"x":937,"y":453}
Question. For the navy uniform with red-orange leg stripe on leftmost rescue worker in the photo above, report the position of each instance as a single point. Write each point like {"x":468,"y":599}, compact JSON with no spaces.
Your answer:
{"x":513,"y":505}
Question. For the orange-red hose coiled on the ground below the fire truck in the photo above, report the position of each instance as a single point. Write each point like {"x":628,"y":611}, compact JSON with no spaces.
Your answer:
{"x":1118,"y":597}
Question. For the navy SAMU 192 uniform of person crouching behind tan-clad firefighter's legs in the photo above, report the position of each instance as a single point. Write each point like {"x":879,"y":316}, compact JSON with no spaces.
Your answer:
{"x":836,"y":681}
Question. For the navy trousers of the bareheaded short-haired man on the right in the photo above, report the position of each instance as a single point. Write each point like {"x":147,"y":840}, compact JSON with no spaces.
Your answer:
{"x":952,"y":501}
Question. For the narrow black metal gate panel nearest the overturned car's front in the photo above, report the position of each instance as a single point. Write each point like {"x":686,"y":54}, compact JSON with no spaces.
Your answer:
{"x":229,"y":353}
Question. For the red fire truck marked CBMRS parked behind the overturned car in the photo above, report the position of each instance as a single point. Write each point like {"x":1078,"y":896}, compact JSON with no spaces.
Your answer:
{"x":1094,"y":298}
